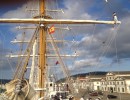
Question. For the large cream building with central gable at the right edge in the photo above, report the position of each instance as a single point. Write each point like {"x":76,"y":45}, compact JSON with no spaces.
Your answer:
{"x":116,"y":82}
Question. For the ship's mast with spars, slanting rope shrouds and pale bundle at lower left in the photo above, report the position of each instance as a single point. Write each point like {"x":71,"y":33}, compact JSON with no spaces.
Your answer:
{"x":19,"y":88}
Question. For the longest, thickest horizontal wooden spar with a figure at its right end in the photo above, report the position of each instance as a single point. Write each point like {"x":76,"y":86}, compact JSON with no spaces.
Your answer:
{"x":56,"y":21}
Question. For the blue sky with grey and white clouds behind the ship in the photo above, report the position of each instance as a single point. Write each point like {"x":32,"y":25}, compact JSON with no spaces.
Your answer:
{"x":100,"y":47}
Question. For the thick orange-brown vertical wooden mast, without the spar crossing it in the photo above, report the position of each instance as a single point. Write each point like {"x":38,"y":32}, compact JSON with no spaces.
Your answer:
{"x":42,"y":50}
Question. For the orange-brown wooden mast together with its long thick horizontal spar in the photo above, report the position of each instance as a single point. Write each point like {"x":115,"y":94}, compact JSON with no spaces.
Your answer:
{"x":42,"y":21}
